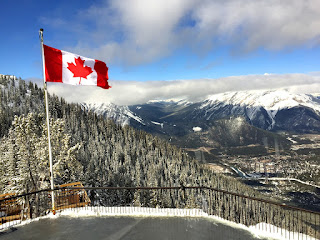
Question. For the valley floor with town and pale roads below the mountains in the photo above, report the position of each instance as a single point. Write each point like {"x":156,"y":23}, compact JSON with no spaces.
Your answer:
{"x":291,"y":176}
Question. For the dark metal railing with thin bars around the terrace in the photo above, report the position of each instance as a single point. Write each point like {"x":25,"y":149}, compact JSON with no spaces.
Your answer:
{"x":287,"y":221}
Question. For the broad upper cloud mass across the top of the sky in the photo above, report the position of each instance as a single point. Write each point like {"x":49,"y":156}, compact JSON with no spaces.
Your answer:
{"x":133,"y":32}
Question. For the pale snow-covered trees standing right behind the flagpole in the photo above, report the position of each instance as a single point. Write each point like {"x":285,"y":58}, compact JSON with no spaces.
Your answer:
{"x":24,"y":155}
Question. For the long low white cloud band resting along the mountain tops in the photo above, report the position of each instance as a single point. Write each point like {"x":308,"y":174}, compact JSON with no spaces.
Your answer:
{"x":129,"y":93}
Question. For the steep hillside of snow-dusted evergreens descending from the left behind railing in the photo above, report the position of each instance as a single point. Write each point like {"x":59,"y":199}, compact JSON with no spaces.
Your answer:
{"x":108,"y":154}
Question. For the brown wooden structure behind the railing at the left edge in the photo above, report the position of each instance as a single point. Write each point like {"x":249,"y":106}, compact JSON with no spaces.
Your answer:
{"x":10,"y":208}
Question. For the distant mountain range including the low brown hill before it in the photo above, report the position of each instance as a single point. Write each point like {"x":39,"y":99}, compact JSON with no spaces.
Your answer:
{"x":220,"y":120}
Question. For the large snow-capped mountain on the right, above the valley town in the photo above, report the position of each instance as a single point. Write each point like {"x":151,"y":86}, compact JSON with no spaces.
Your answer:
{"x":270,"y":110}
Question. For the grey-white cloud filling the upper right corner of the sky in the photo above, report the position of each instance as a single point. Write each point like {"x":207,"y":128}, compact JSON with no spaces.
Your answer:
{"x":271,"y":24}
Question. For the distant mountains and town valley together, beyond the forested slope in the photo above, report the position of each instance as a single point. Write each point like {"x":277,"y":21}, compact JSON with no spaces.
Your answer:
{"x":269,"y":140}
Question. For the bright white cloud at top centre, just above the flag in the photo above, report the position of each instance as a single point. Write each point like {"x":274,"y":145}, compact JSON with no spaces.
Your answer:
{"x":147,"y":29}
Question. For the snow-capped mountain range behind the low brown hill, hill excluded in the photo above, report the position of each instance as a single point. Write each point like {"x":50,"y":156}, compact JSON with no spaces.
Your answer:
{"x":271,"y":110}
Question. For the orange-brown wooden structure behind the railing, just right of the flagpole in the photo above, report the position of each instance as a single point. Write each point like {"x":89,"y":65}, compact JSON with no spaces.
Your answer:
{"x":71,"y":195}
